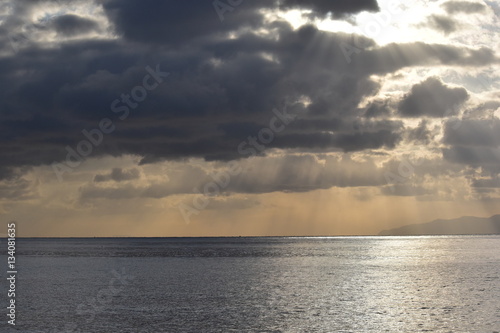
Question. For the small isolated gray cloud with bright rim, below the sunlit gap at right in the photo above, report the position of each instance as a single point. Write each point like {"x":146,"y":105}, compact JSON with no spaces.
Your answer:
{"x":432,"y":98}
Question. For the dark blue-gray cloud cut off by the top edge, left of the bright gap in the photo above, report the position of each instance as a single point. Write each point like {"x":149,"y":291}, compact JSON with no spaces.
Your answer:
{"x":174,"y":22}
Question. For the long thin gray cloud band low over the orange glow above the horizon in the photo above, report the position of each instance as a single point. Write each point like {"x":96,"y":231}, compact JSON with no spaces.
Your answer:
{"x":285,"y":173}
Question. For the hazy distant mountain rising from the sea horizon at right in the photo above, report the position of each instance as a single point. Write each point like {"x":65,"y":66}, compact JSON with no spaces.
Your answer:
{"x":466,"y":225}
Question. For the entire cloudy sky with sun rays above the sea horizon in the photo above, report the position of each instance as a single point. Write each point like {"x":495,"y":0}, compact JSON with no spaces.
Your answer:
{"x":238,"y":118}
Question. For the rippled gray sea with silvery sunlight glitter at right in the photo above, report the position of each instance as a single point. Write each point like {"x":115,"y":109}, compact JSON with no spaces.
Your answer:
{"x":341,"y":284}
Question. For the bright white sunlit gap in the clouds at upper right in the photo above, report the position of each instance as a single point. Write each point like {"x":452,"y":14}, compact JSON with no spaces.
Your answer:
{"x":404,"y":22}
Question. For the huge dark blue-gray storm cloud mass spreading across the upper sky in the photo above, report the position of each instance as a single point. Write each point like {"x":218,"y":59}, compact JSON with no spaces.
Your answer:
{"x":220,"y":90}
